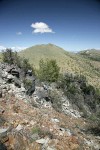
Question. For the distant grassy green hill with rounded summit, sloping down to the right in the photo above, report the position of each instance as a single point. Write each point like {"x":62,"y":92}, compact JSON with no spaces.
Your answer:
{"x":76,"y":63}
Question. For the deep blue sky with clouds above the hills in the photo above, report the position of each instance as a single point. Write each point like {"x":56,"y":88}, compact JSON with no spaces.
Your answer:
{"x":71,"y":24}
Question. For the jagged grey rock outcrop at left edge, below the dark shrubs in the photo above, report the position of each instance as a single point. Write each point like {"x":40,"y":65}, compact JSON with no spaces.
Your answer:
{"x":11,"y":81}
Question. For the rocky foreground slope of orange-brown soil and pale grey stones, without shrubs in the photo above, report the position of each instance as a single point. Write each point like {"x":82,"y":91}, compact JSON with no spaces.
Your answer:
{"x":31,"y":122}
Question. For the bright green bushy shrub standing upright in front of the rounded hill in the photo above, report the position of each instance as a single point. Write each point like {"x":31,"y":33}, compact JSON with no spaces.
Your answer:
{"x":48,"y":70}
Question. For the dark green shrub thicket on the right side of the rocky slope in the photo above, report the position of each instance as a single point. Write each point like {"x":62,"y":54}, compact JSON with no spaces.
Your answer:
{"x":79,"y":92}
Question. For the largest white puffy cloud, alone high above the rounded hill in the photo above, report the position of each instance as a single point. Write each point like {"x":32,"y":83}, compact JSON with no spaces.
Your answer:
{"x":41,"y":27}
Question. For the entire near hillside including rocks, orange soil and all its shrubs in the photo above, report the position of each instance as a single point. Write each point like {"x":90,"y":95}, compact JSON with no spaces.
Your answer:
{"x":57,"y":112}
